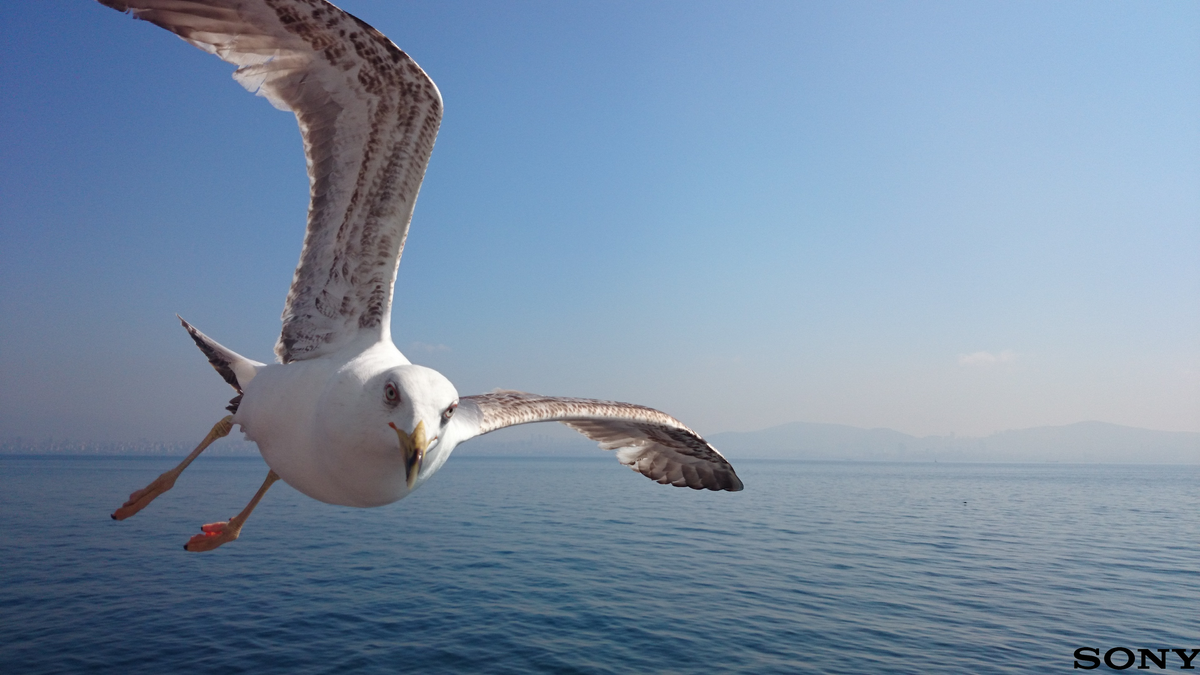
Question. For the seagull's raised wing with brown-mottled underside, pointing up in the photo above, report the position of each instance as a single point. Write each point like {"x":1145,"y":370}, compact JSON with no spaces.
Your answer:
{"x":369,"y":116}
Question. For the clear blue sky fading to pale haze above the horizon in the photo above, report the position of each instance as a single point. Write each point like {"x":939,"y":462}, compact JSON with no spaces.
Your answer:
{"x":939,"y":218}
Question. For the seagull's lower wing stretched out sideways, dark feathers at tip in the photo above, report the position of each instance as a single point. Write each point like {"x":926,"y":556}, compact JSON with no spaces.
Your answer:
{"x":651,"y":443}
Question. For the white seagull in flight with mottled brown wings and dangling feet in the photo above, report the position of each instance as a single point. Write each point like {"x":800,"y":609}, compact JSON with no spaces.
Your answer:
{"x":344,"y":417}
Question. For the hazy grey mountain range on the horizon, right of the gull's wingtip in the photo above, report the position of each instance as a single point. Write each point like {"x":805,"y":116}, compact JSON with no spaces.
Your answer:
{"x":1083,"y":443}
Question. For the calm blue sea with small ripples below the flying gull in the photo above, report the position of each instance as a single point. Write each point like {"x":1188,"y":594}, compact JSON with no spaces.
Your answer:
{"x":581,"y":566}
